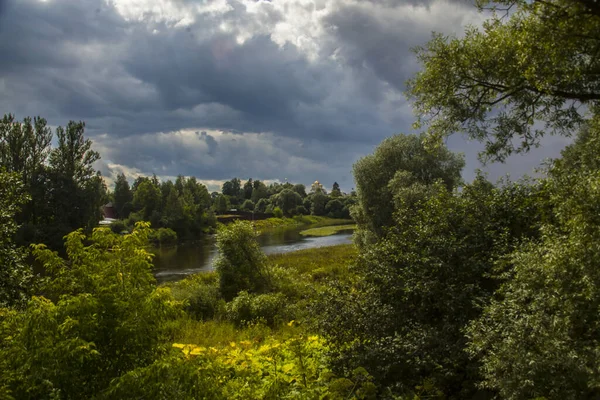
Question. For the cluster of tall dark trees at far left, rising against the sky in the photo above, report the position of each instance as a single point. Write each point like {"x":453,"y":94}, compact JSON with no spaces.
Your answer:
{"x":65,"y":192}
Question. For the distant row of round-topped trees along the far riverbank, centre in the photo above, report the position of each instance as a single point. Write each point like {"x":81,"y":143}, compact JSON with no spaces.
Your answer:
{"x":285,"y":199}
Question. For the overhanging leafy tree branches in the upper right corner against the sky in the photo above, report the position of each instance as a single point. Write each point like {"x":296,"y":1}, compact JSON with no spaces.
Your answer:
{"x":526,"y":73}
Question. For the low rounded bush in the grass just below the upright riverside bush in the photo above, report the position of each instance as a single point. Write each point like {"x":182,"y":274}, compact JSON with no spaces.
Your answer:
{"x":251,"y":308}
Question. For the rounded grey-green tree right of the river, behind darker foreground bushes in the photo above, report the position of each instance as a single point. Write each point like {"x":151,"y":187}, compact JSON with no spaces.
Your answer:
{"x":397,"y":162}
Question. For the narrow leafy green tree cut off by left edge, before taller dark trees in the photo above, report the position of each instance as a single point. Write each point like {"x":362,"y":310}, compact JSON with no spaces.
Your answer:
{"x":15,"y":273}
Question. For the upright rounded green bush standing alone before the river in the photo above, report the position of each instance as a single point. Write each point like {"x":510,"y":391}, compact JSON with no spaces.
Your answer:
{"x":241,"y":264}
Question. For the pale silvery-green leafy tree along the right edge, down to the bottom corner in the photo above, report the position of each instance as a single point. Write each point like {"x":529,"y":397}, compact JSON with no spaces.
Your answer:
{"x":539,"y":337}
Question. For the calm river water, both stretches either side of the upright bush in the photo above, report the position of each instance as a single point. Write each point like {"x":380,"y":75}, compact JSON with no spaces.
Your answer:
{"x":174,"y":263}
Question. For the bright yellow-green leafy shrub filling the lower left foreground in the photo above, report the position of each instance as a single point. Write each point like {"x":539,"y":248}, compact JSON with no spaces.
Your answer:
{"x":103,"y":317}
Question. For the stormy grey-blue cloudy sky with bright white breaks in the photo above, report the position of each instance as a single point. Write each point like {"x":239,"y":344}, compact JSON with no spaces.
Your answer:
{"x":275,"y":90}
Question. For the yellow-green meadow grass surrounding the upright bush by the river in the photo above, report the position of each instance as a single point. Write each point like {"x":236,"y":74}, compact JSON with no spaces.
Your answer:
{"x":298,"y":275}
